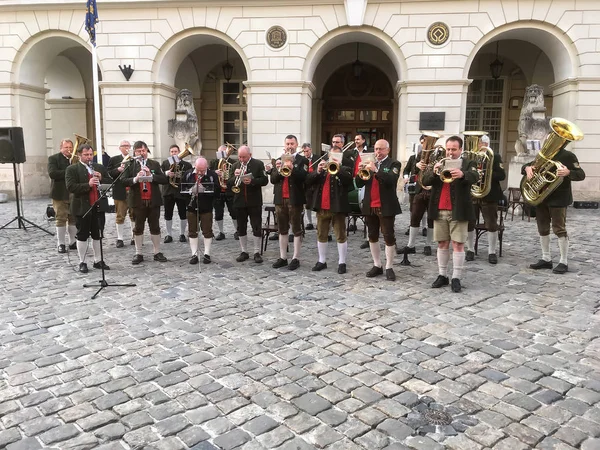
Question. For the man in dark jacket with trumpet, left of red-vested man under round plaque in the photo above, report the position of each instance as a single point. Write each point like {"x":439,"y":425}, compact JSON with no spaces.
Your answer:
{"x":249,"y":175}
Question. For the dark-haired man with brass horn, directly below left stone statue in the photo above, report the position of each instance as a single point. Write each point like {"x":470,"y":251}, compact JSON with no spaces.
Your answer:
{"x":172,"y":195}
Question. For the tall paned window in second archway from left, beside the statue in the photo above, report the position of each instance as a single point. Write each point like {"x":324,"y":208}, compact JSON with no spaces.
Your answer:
{"x":234,"y":120}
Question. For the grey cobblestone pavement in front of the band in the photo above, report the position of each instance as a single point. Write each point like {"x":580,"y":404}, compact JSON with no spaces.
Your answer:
{"x":240,"y":355}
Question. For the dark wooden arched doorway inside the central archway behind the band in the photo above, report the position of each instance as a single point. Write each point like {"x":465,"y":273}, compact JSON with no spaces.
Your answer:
{"x":358,"y":103}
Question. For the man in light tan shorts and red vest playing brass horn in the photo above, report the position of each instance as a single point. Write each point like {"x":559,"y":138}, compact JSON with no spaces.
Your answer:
{"x":450,"y":208}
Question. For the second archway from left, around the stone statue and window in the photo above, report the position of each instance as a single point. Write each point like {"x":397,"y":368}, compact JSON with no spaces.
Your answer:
{"x":212,"y":68}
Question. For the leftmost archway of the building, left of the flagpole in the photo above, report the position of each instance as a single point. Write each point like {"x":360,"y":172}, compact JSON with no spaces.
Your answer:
{"x":53,"y":100}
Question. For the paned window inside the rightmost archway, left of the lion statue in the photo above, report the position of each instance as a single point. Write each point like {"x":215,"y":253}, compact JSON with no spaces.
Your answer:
{"x":484,"y":108}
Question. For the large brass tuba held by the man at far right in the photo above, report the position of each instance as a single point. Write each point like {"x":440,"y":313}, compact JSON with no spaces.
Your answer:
{"x":545,"y":180}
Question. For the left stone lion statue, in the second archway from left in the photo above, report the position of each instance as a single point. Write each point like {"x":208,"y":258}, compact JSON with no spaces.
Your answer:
{"x":184,"y":127}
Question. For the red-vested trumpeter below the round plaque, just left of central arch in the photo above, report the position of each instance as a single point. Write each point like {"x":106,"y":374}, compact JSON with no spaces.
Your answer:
{"x":289,"y":199}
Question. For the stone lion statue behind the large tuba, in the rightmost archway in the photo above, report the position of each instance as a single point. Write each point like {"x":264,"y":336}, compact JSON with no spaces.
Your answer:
{"x":533,"y":124}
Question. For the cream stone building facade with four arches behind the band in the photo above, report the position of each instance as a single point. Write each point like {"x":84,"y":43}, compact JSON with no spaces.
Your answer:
{"x":310,"y":68}
